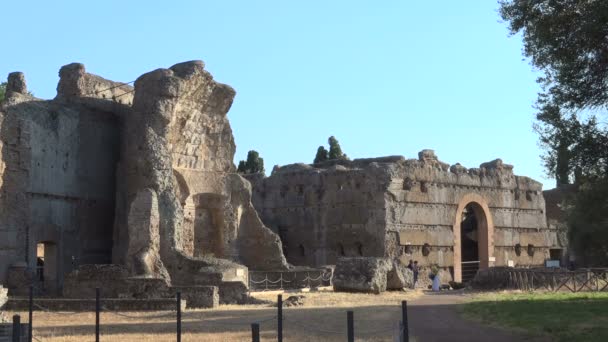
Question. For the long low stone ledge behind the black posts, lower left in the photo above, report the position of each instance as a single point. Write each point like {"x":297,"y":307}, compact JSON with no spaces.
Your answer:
{"x":164,"y":304}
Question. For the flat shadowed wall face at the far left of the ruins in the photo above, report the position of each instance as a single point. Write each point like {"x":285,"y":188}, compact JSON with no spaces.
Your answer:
{"x":55,"y":192}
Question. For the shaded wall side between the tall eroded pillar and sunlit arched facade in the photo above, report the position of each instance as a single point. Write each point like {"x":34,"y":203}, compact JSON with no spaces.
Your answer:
{"x":325,"y":212}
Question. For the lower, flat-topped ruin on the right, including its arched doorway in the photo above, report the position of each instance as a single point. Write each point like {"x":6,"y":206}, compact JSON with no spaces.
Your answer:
{"x":407,"y":209}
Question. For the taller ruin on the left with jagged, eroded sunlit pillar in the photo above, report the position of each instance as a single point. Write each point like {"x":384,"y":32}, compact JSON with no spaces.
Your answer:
{"x":138,"y":177}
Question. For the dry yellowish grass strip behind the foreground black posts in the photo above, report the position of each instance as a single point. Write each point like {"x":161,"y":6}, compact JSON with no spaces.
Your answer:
{"x":321,"y":318}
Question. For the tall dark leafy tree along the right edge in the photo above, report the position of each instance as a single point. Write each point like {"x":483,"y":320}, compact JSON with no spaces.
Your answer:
{"x":566,"y":41}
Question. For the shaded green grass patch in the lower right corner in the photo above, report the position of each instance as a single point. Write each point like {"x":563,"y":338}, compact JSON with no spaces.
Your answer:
{"x":562,"y":316}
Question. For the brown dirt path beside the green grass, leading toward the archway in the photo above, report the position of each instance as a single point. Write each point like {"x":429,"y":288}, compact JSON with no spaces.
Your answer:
{"x":434,"y":317}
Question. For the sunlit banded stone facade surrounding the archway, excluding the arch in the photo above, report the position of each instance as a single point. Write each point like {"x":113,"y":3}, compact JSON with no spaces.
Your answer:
{"x":423,"y":199}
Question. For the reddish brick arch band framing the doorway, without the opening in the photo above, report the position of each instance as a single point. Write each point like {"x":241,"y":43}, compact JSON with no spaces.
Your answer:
{"x":485,"y":232}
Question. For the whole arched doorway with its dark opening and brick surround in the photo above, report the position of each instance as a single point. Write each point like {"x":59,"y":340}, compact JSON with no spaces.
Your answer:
{"x":473,"y":243}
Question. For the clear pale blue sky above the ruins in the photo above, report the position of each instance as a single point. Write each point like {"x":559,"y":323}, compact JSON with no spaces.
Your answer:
{"x":384,"y":77}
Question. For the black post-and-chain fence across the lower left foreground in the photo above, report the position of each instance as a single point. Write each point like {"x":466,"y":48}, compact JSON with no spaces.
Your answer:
{"x":23,"y":332}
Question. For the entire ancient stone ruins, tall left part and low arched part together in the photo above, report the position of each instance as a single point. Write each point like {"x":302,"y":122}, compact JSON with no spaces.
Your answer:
{"x":133,"y":189}
